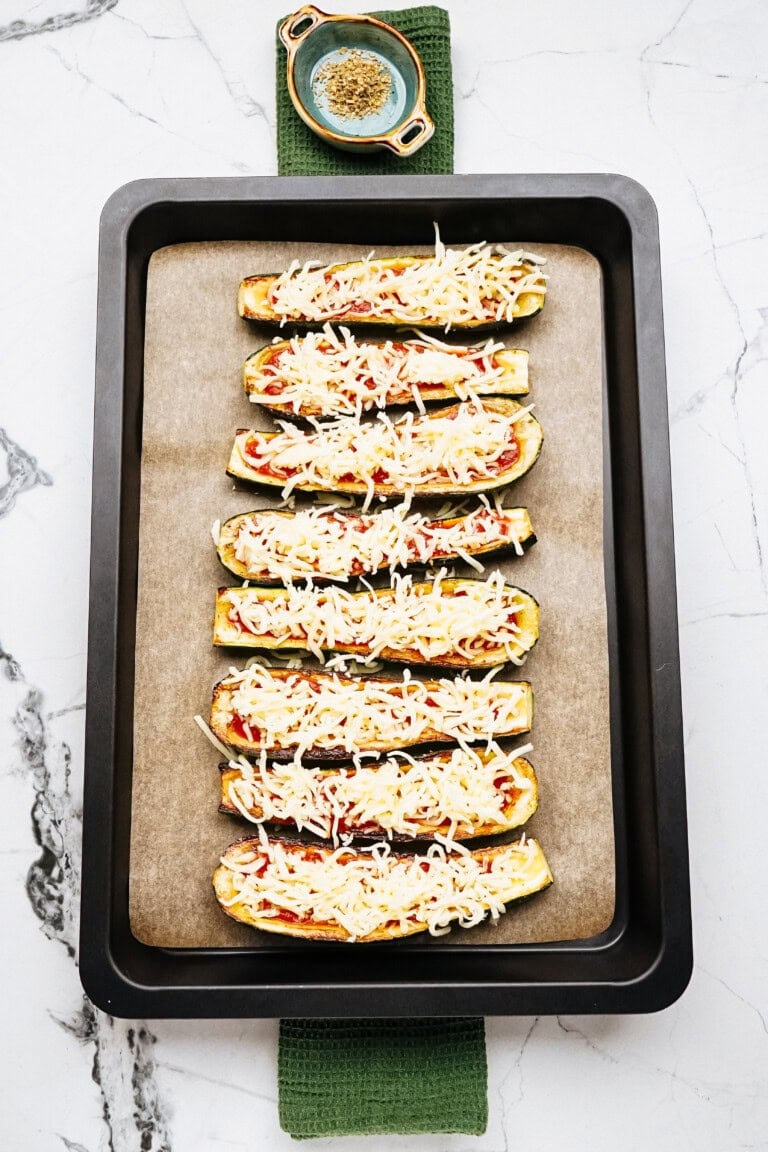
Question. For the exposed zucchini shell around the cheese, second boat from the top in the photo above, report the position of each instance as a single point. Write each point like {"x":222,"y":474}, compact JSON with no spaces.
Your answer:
{"x":513,"y":383}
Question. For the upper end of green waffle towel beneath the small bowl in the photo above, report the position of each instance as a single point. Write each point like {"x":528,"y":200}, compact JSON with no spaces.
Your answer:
{"x":302,"y":154}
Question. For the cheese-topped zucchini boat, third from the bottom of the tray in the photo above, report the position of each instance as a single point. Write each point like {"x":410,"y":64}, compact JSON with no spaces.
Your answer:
{"x":323,"y":716}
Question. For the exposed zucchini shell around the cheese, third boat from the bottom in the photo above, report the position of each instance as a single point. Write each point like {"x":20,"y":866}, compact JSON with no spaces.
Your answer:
{"x":431,"y":739}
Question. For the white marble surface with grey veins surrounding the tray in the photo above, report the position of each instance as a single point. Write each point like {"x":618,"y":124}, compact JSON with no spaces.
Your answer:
{"x":672,"y":93}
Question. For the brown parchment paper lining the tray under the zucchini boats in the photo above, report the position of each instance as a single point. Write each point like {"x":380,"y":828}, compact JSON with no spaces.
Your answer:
{"x":193,"y":404}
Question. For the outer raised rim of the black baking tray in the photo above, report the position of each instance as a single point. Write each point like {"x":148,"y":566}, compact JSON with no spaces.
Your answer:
{"x":668,"y":972}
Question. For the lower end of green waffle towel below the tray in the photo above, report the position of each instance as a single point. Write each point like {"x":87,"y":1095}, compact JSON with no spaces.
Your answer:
{"x":358,"y":1078}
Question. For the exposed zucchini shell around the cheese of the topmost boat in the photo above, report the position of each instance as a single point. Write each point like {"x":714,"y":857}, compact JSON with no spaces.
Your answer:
{"x":253,"y":305}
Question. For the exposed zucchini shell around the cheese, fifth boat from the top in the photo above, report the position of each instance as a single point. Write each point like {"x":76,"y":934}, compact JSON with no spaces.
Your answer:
{"x":489,"y":660}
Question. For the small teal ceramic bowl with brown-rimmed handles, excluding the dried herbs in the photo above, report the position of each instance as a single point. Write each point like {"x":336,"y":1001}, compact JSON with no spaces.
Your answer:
{"x":315,"y":40}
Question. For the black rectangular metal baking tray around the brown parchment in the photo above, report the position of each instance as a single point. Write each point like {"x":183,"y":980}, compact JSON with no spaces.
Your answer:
{"x":643,"y":961}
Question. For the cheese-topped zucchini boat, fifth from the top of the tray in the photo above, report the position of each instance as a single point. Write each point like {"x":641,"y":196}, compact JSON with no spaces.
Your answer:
{"x":454,"y":624}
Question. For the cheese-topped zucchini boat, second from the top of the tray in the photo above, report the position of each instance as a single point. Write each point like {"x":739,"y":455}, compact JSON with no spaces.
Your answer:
{"x":328,"y":375}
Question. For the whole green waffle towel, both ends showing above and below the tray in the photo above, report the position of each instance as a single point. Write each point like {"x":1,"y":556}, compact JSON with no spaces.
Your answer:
{"x":359,"y":1078}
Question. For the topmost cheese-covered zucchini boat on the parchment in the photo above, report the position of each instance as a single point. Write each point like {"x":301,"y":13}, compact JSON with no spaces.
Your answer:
{"x":478,"y":289}
